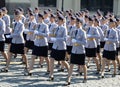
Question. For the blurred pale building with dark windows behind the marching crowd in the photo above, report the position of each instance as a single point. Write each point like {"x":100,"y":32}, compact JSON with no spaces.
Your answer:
{"x":76,"y":5}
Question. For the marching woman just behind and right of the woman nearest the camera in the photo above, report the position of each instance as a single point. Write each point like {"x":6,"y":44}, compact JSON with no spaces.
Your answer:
{"x":91,"y":46}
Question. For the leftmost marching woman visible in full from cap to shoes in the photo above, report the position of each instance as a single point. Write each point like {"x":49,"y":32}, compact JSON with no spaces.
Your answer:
{"x":17,"y":44}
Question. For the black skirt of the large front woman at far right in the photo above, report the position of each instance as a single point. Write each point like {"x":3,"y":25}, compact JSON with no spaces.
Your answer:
{"x":110,"y":55}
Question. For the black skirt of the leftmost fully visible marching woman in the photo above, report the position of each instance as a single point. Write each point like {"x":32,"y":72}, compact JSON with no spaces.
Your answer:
{"x":17,"y":48}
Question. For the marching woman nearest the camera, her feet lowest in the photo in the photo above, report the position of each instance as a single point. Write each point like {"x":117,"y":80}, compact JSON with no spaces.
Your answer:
{"x":78,"y":51}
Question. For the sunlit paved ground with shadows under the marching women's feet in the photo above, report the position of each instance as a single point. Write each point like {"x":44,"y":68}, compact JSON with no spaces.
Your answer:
{"x":15,"y":77}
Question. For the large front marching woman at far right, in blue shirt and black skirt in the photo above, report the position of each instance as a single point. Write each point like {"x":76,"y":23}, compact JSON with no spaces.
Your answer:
{"x":109,"y":53}
